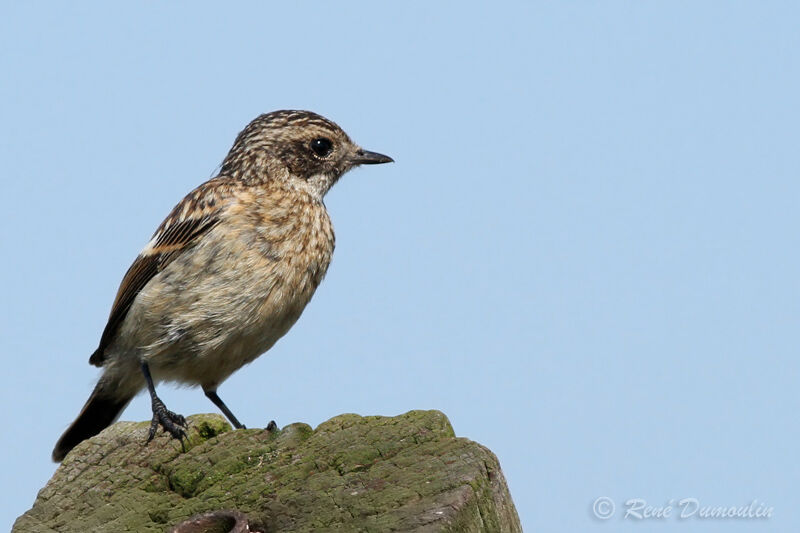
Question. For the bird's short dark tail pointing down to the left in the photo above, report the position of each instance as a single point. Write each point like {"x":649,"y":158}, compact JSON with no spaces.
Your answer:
{"x":101,"y":409}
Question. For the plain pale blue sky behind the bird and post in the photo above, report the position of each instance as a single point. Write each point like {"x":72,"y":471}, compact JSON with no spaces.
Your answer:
{"x":586,"y":254}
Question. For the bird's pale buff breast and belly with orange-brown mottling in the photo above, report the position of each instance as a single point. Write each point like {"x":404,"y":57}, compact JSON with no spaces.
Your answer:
{"x":230,"y":298}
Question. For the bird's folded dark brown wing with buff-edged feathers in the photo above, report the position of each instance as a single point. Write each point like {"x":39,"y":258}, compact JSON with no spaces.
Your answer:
{"x":195,"y":215}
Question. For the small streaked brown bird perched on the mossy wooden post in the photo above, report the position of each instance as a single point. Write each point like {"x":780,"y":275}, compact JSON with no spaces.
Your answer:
{"x":225,"y":275}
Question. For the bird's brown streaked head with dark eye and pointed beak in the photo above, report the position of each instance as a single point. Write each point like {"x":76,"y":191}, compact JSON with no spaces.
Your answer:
{"x":301,"y":146}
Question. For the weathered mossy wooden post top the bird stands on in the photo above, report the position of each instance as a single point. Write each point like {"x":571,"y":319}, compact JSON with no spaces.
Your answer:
{"x":403,"y":473}
